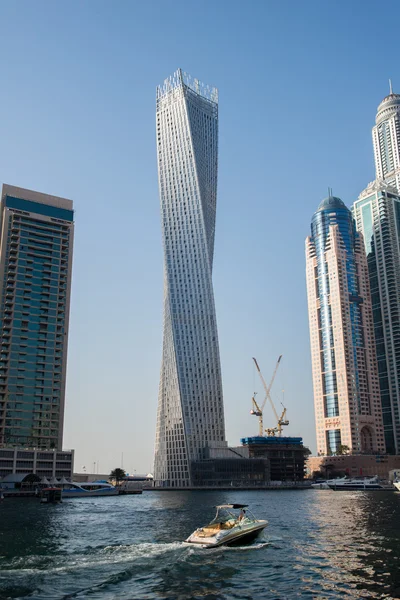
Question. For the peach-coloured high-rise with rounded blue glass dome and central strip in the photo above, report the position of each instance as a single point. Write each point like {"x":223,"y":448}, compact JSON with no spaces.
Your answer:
{"x":347,"y":401}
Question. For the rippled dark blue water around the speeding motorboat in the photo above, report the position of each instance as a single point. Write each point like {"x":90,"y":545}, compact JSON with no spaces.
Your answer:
{"x":319,"y":544}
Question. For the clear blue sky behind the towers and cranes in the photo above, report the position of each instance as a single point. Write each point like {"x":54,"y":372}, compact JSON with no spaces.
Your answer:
{"x":299,"y":84}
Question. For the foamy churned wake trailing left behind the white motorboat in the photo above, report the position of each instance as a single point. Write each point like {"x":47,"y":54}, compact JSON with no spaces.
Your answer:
{"x":102,"y":570}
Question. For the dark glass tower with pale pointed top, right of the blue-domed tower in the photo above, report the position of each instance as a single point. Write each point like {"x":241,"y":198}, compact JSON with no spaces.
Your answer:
{"x":377,"y":216}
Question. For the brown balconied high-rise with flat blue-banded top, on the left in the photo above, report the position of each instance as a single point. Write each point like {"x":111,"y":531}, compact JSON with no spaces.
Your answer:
{"x":35,"y":279}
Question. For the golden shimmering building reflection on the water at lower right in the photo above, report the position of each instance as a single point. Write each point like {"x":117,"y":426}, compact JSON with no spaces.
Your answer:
{"x":354,"y":542}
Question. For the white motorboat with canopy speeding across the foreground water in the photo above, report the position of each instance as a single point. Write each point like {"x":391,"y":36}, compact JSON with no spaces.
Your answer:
{"x":227,"y":528}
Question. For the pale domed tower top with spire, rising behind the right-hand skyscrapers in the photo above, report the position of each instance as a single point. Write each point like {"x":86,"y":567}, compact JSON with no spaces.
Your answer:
{"x":386,"y":140}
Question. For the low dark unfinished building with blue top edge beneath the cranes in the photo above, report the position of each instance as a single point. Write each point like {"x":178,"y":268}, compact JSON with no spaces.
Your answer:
{"x":286,"y":455}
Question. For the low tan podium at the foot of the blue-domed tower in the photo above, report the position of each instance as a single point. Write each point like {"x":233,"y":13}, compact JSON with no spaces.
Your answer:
{"x":354,"y":465}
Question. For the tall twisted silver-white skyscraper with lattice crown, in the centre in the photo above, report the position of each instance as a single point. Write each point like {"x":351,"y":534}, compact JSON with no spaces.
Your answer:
{"x":190,"y":407}
